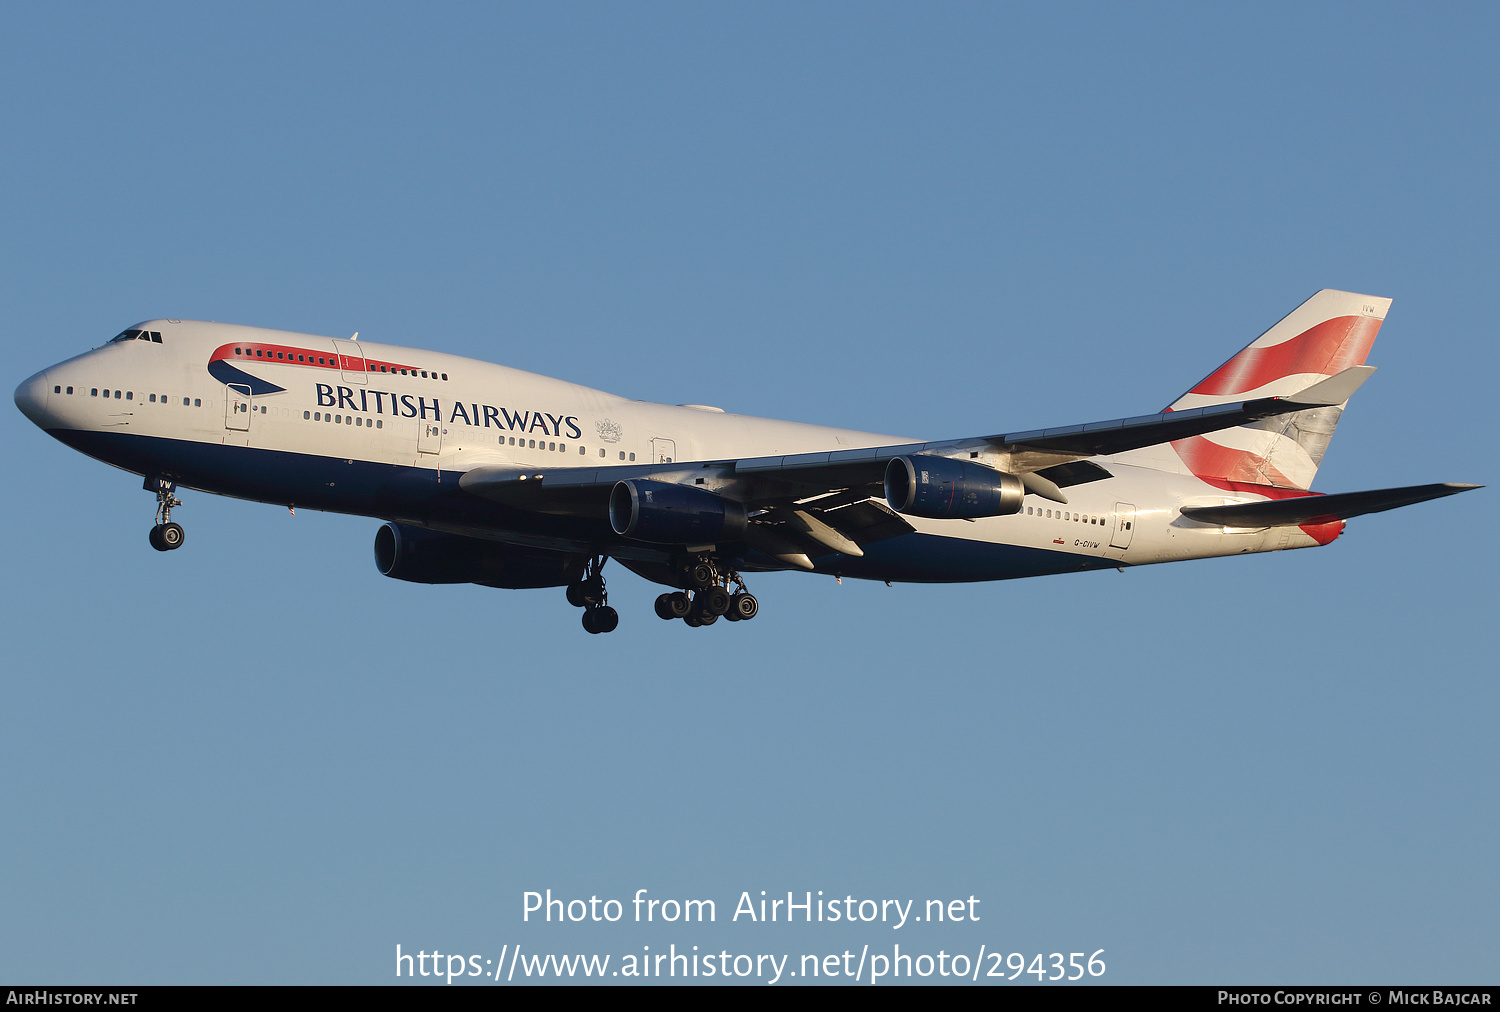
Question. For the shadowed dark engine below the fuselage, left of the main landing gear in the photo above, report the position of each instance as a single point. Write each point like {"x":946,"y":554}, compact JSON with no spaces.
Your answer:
{"x":428,"y":557}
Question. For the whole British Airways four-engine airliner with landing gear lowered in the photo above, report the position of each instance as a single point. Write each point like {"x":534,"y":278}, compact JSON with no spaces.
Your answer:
{"x":499,"y":478}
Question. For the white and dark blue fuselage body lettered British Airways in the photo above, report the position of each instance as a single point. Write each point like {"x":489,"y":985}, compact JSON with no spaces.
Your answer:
{"x":385,"y":431}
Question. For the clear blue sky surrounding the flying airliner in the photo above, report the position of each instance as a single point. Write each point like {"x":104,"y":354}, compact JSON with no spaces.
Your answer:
{"x":257,"y":761}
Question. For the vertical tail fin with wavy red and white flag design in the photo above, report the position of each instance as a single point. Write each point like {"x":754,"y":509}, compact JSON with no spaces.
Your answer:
{"x":1325,"y":335}
